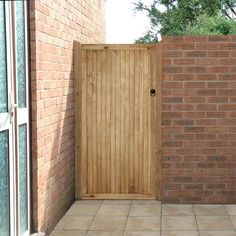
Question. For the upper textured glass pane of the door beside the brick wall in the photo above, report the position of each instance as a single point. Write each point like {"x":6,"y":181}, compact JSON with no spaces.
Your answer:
{"x":20,"y":53}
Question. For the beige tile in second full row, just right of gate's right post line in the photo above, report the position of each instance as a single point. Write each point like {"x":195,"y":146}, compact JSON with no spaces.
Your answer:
{"x":179,"y":223}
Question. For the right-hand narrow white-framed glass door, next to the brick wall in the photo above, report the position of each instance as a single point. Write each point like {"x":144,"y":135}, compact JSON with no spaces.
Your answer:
{"x":22,"y":120}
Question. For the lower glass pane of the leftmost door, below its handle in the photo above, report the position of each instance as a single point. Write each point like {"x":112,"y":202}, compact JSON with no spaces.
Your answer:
{"x":4,"y":186}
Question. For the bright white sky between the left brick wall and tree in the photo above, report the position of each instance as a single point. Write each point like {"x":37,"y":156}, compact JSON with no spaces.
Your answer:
{"x":123,"y":26}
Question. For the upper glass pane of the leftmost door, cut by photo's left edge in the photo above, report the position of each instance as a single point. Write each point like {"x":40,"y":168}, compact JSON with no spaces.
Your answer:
{"x":3,"y":69}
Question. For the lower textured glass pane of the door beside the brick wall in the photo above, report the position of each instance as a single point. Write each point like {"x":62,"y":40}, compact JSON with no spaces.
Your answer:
{"x":23,"y":196}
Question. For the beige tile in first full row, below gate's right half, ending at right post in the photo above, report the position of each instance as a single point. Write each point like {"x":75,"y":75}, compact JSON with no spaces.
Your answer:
{"x":145,"y":210}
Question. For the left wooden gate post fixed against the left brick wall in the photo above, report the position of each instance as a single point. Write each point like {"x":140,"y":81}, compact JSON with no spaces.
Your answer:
{"x":78,"y":140}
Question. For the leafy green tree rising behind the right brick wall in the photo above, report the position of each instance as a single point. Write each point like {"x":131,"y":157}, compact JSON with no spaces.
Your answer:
{"x":179,"y":17}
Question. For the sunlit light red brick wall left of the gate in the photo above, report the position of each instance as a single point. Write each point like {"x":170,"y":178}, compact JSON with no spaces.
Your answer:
{"x":54,"y":25}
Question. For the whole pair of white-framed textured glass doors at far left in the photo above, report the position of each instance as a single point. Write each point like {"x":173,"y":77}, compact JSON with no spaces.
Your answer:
{"x":14,"y":120}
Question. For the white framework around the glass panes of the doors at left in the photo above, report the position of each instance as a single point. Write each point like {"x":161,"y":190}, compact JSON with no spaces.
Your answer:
{"x":7,"y":119}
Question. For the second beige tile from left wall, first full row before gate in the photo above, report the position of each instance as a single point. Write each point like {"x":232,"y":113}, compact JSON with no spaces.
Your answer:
{"x":113,"y":210}
